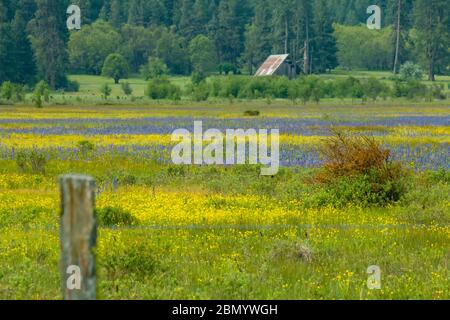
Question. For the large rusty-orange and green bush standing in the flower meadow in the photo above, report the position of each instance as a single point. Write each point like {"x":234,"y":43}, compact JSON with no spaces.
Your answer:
{"x":360,"y":171}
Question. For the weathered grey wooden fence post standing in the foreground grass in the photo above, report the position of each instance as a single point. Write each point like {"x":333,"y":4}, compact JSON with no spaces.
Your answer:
{"x":78,"y":233}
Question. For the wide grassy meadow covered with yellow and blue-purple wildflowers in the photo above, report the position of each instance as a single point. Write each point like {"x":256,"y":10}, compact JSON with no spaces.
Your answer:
{"x":207,"y":232}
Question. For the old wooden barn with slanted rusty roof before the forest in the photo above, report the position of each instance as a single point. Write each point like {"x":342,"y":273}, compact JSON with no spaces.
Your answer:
{"x":277,"y":65}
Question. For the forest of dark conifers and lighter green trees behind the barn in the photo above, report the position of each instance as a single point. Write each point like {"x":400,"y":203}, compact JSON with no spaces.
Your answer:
{"x":218,"y":35}
